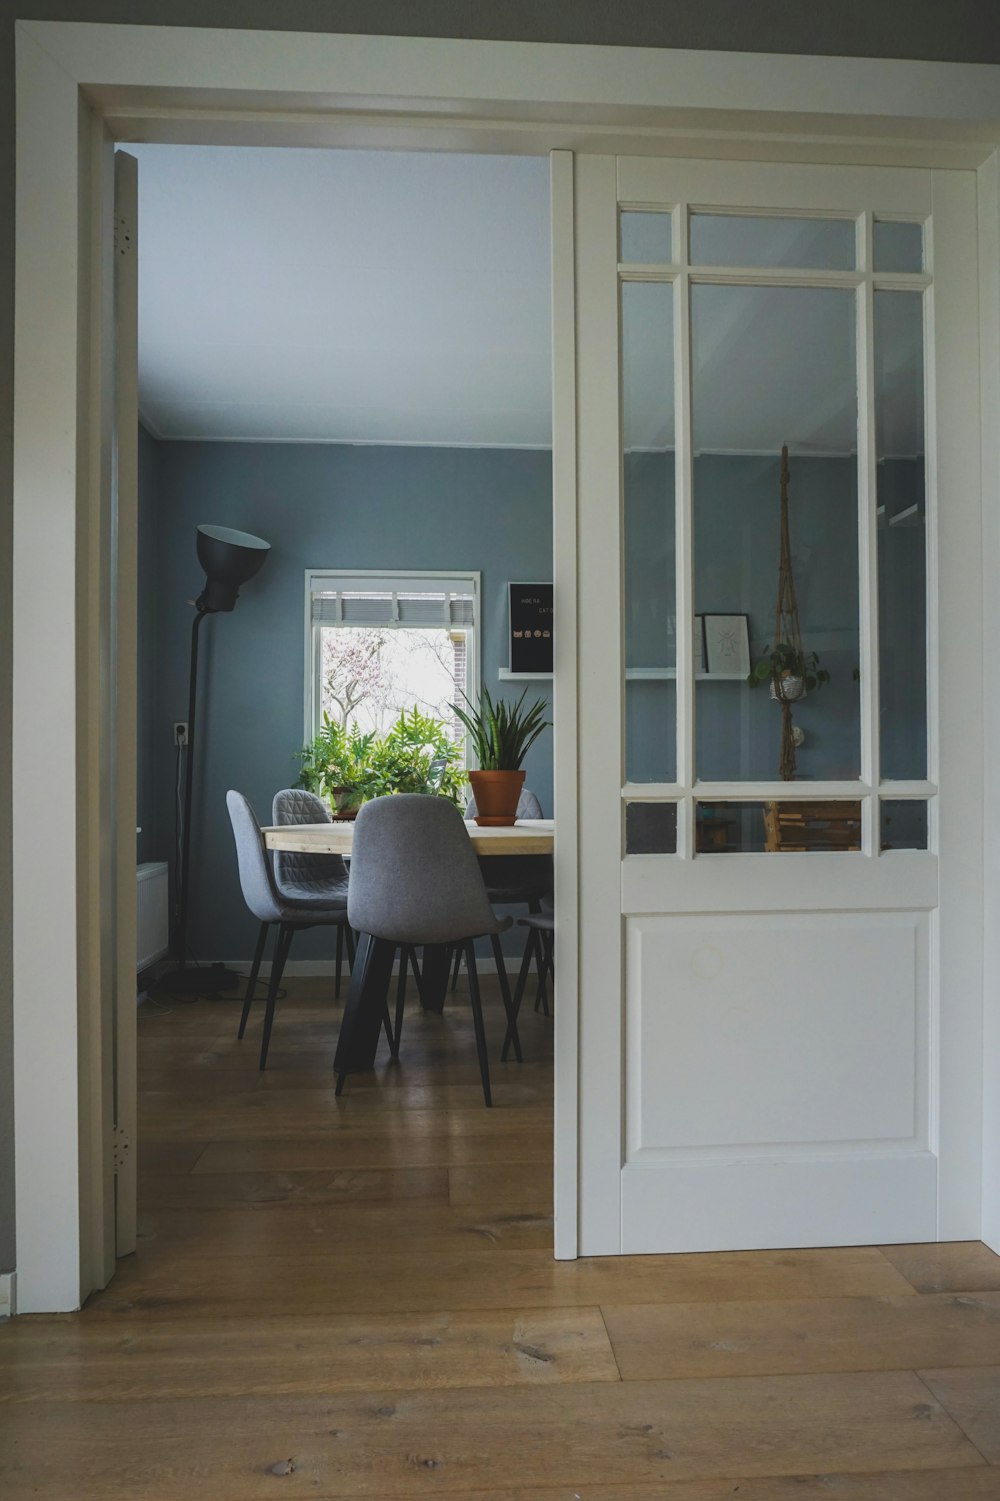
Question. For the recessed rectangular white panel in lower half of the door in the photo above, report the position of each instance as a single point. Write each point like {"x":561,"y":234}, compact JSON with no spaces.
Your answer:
{"x":756,"y":1035}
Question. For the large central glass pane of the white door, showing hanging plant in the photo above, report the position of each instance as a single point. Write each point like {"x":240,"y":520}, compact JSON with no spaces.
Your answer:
{"x":776,"y":367}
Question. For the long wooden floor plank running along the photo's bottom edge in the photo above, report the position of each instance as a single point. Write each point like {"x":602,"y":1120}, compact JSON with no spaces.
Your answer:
{"x":460,"y":1442}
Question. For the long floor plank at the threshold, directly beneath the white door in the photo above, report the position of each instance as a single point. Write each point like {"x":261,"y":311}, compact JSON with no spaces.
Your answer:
{"x":170,"y":1280}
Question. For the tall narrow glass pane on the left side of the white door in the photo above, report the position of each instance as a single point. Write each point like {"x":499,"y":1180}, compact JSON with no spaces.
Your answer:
{"x":649,"y":588}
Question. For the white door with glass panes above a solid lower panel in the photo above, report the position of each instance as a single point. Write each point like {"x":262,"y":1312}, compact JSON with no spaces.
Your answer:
{"x":782,"y":976}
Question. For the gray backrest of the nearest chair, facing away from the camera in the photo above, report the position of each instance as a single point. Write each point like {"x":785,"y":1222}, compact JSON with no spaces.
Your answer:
{"x":415,"y":876}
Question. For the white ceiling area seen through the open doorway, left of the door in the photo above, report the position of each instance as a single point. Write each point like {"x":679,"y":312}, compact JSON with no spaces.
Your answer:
{"x":345,"y":296}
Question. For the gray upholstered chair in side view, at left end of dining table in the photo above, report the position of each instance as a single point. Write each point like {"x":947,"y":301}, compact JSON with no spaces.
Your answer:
{"x":273,"y":910}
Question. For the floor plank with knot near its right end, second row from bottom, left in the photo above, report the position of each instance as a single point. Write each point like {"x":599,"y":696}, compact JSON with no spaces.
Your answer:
{"x":94,"y":1361}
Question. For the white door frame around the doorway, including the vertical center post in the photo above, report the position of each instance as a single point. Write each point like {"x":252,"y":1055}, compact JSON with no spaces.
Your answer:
{"x":83,"y":86}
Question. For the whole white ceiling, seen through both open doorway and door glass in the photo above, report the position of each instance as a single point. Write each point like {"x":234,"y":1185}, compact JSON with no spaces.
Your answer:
{"x":403,"y":298}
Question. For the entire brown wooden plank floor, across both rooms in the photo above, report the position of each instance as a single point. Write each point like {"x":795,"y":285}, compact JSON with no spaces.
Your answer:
{"x":345,"y":1299}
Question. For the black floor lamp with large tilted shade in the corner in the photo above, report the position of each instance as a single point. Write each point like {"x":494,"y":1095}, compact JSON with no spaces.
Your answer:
{"x":229,"y":561}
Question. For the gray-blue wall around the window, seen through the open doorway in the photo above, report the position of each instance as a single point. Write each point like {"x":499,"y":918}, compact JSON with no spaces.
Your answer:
{"x":321,"y":507}
